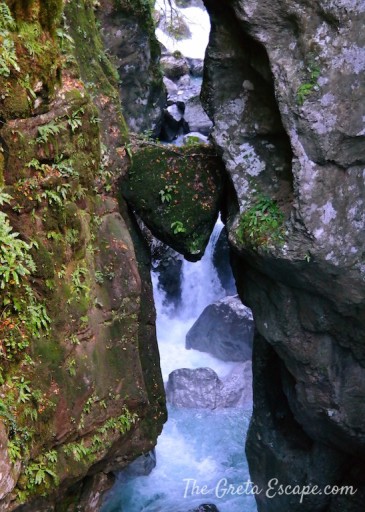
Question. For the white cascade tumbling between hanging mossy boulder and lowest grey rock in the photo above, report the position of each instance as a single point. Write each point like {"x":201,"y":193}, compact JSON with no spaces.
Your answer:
{"x":200,"y":287}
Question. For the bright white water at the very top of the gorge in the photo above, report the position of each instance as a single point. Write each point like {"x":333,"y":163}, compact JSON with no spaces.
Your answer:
{"x":199,"y":24}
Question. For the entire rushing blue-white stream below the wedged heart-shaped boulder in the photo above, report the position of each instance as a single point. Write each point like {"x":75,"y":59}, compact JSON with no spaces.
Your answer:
{"x":197,"y":447}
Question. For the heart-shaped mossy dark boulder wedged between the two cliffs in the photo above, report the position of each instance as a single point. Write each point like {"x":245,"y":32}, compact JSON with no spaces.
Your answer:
{"x":176,"y":191}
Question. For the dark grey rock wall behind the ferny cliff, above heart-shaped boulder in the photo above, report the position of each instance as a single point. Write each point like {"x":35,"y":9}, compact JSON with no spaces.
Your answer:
{"x":128,"y":32}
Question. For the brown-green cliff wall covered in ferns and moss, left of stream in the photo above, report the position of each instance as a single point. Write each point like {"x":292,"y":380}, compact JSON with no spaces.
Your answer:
{"x":81,"y":392}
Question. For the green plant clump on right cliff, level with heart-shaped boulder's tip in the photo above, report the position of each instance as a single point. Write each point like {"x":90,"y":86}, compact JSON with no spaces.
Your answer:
{"x":261,"y":225}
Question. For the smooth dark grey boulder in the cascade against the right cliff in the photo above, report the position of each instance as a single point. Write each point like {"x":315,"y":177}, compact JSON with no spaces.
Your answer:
{"x":225,"y":329}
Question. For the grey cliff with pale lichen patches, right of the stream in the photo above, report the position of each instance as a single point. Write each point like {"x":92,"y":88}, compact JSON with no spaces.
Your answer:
{"x":289,"y":123}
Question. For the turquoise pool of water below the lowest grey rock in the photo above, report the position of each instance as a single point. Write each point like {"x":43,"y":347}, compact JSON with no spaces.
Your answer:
{"x":197,"y":448}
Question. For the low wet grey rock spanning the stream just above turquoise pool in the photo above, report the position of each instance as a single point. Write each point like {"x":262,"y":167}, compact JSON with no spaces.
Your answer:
{"x":202,"y":388}
